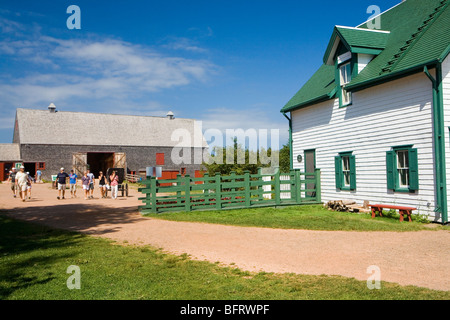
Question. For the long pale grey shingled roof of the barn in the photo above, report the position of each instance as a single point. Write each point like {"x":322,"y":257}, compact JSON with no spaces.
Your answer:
{"x":80,"y":128}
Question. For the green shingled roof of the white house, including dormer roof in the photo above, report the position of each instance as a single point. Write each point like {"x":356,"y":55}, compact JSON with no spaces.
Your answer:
{"x":419,"y":35}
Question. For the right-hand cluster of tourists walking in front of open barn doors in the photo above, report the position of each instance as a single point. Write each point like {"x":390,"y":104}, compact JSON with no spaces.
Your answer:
{"x":88,"y":183}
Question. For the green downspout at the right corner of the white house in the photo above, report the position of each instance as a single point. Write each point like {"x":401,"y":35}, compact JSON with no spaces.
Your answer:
{"x":439,"y":142}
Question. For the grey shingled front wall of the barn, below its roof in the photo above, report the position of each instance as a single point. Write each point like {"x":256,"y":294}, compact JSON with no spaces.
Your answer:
{"x":57,"y":156}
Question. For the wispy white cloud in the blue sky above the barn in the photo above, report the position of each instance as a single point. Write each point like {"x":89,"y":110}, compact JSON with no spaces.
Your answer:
{"x":102,"y":71}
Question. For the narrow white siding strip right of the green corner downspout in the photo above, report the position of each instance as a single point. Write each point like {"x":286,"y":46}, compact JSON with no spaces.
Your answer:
{"x":446,"y":93}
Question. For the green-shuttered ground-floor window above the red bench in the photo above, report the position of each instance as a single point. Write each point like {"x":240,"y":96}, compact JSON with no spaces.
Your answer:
{"x":402,"y":169}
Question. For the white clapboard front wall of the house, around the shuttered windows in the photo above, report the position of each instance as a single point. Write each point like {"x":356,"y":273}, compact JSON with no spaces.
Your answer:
{"x":381,"y":117}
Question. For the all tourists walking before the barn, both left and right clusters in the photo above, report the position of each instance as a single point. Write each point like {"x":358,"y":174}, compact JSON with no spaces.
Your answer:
{"x":21,"y":183}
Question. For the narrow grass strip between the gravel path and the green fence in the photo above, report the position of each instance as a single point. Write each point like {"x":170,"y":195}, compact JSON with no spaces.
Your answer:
{"x":312,"y":217}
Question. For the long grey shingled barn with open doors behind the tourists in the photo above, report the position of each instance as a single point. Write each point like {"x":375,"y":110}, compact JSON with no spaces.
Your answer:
{"x":50,"y":139}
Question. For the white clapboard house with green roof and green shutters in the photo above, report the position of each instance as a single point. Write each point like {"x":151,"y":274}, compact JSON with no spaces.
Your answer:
{"x":375,"y":117}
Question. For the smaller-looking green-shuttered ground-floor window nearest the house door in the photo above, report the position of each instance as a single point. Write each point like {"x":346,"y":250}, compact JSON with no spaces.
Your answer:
{"x":345,"y":171}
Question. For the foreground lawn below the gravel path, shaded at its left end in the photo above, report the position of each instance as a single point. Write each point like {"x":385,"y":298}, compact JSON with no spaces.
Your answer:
{"x":34,"y":260}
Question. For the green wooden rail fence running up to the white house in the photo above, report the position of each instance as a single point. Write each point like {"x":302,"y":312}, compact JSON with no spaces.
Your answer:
{"x":230,"y":192}
